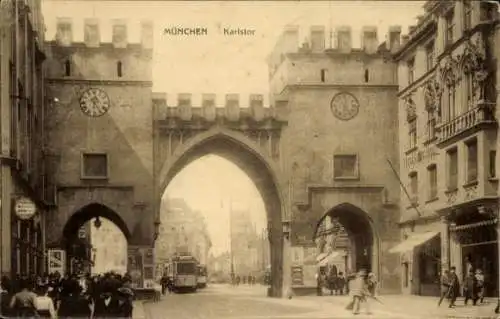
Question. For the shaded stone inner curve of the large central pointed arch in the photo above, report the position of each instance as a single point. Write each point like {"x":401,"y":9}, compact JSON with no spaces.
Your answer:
{"x":243,"y":152}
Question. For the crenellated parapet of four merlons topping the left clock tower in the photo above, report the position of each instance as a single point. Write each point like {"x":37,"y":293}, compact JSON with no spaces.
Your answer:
{"x":92,"y":33}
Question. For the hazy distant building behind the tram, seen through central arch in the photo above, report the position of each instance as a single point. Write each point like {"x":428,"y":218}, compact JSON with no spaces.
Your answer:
{"x":182,"y":230}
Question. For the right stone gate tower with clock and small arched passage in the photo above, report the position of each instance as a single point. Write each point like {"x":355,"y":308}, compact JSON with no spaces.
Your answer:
{"x":338,"y":95}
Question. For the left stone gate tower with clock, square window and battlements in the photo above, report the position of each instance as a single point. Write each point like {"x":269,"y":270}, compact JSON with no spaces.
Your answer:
{"x":99,"y":131}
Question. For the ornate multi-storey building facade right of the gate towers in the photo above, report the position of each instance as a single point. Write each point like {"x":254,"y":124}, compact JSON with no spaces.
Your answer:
{"x":448,"y":75}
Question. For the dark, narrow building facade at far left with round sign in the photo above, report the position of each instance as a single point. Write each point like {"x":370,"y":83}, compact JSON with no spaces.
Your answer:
{"x":24,"y":190}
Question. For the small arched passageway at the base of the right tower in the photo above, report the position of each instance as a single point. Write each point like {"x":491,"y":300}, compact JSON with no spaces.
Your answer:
{"x":347,"y":230}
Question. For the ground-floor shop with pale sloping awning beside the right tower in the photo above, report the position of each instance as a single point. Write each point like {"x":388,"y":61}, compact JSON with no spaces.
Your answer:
{"x":420,"y":262}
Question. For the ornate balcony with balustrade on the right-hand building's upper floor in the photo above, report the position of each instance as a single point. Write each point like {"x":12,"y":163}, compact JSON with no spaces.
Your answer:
{"x":475,"y":119}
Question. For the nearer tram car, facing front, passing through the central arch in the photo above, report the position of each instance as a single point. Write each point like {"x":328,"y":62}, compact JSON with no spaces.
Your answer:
{"x":183,"y":271}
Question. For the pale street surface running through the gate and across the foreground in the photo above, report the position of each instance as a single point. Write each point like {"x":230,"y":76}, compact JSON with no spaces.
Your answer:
{"x":250,"y":302}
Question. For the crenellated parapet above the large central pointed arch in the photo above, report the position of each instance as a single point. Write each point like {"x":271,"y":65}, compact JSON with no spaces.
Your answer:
{"x":209,"y":113}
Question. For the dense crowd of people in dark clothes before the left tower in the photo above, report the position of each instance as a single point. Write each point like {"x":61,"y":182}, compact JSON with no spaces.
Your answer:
{"x":71,"y":296}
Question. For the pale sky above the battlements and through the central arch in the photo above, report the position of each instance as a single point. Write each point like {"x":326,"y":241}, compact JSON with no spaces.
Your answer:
{"x":220,"y":64}
